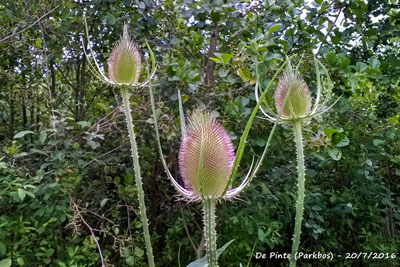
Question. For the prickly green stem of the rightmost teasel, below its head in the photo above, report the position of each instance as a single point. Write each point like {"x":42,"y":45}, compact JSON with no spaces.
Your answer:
{"x":300,"y":191}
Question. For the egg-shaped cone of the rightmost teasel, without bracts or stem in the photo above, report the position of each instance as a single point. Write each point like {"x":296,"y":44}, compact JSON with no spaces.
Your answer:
{"x":299,"y":102}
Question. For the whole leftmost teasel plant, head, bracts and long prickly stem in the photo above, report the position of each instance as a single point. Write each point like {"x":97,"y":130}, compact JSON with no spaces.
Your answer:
{"x":124,"y":68}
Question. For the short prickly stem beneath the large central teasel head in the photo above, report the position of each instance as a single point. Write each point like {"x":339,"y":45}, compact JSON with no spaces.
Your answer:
{"x":209,"y":232}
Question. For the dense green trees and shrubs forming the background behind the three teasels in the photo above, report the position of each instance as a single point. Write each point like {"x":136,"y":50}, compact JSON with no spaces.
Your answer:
{"x":64,"y":153}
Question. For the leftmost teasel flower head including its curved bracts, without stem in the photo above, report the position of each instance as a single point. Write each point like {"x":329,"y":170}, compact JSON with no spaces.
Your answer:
{"x":124,"y":63}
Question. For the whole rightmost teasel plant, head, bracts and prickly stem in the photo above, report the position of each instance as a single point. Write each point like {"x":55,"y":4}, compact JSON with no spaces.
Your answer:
{"x":293,"y":101}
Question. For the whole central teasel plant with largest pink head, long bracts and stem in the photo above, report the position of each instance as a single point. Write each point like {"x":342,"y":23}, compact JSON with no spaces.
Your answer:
{"x":208,"y":165}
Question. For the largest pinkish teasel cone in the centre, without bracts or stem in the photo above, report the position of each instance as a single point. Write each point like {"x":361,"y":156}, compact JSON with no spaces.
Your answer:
{"x":206,"y":156}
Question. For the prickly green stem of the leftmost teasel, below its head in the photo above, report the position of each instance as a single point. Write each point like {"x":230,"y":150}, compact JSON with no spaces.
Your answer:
{"x":138,"y":178}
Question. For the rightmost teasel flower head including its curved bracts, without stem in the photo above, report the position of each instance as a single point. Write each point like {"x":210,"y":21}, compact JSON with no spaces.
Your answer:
{"x":293,"y":99}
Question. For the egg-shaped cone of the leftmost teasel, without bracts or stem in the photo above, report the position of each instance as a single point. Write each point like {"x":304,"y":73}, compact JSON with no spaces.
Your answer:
{"x":124,"y":63}
